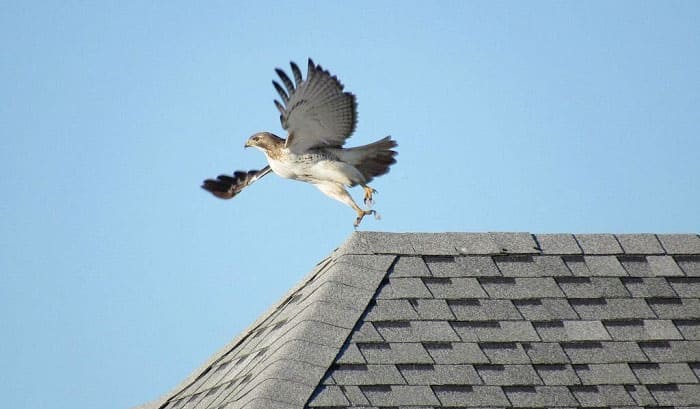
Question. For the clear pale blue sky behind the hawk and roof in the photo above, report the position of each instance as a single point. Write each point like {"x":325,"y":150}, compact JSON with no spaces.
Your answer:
{"x":119,"y":275}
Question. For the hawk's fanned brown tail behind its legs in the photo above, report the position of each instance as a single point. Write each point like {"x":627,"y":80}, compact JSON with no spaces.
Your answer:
{"x":374,"y":159}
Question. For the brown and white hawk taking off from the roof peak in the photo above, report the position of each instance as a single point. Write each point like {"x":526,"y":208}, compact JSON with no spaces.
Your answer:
{"x":318,"y":117}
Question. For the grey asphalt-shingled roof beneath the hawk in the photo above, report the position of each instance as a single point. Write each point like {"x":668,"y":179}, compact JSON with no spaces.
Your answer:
{"x":403,"y":320}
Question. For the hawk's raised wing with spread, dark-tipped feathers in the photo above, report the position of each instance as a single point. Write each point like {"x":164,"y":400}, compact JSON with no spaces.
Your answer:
{"x":315,"y":111}
